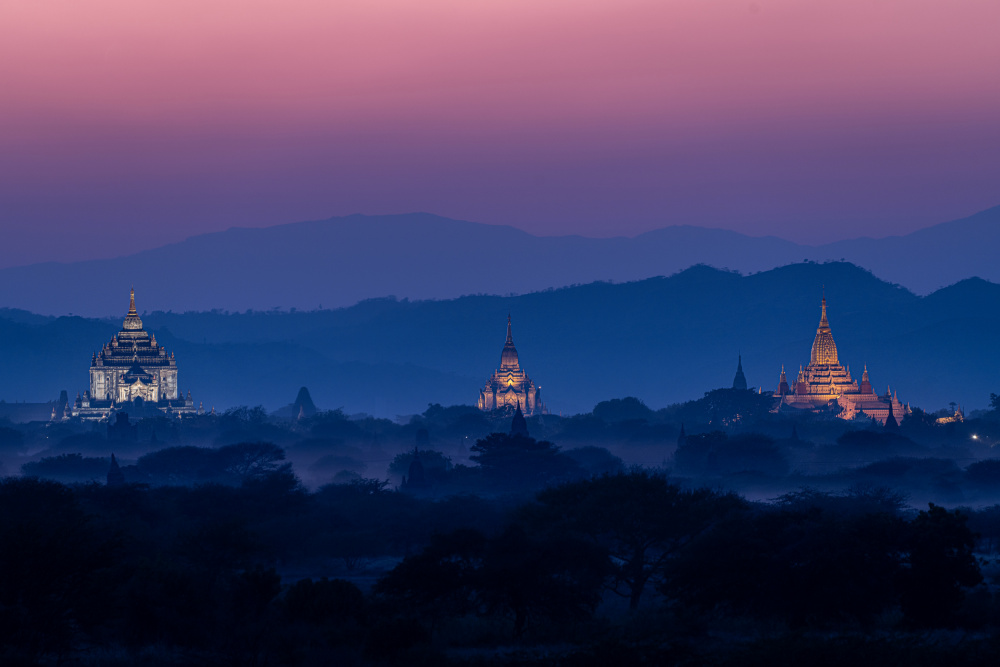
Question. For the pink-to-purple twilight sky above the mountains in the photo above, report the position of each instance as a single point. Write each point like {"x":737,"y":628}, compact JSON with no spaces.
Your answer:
{"x":128,"y":124}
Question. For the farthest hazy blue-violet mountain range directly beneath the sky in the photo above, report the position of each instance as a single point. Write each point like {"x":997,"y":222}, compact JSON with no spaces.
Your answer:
{"x":338,"y":262}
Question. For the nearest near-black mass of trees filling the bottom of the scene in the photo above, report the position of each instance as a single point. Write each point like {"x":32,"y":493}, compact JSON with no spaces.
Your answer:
{"x":626,"y":568}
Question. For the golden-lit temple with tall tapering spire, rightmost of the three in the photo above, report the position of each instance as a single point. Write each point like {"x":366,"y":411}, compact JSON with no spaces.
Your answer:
{"x":825,"y":381}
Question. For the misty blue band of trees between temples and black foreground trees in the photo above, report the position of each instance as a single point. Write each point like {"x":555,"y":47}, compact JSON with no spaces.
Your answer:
{"x":730,"y":440}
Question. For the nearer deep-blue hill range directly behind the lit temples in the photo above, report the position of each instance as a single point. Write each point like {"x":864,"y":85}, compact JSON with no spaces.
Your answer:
{"x":663,"y":340}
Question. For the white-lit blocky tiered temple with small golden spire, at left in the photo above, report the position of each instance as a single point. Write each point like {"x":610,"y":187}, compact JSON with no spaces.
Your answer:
{"x":132,"y":371}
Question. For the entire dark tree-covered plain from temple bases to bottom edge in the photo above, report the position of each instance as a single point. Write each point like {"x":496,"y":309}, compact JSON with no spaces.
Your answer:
{"x":483,"y":544}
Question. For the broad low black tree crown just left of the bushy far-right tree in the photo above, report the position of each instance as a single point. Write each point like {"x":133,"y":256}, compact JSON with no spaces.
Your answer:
{"x":804,"y":562}
